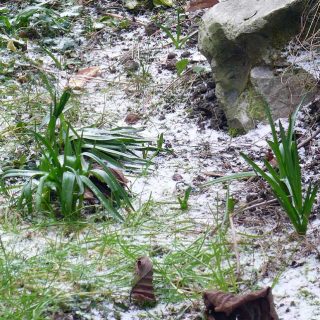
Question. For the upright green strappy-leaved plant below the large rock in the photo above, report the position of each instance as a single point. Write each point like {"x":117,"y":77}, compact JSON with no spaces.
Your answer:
{"x":285,"y":180}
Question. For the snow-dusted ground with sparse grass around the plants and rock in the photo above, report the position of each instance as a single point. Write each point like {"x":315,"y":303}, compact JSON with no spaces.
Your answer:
{"x":56,"y":270}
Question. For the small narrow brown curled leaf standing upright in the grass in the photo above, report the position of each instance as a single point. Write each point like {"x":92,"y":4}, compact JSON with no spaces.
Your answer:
{"x":142,"y":290}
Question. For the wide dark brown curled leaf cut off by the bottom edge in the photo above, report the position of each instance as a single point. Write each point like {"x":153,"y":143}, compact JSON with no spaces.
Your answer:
{"x":257,"y":305}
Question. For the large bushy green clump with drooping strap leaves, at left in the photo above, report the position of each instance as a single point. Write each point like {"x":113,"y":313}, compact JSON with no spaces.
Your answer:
{"x":73,"y":162}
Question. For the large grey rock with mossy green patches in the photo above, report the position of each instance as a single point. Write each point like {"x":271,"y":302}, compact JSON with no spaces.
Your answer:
{"x":236,"y":37}
